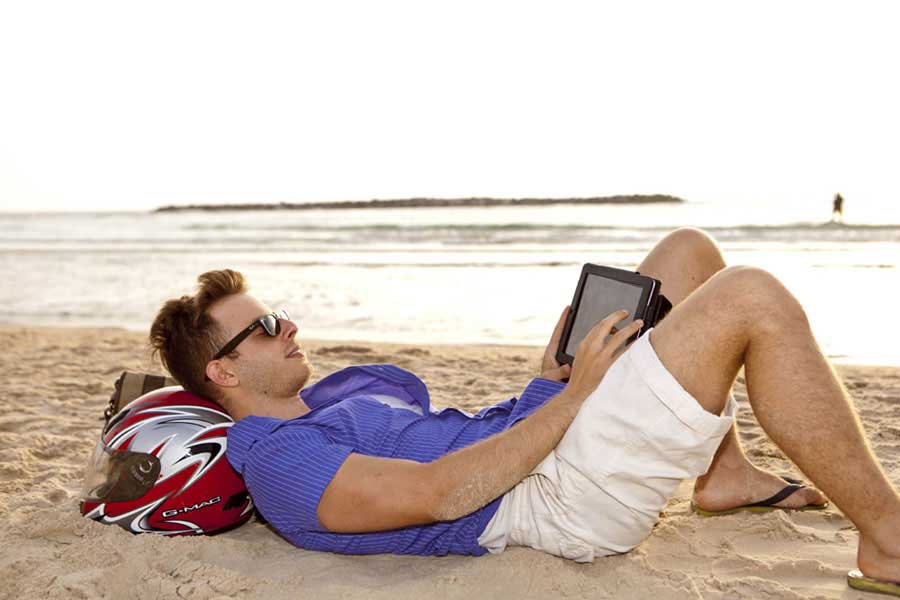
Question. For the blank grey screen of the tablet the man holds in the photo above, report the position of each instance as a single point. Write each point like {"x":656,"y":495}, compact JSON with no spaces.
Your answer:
{"x":600,"y":298}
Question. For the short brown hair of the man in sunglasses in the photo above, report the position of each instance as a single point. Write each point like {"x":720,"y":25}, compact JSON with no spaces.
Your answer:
{"x":186,"y":337}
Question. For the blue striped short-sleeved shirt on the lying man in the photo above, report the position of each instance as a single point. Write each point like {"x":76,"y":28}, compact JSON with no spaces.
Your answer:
{"x":376,"y":410}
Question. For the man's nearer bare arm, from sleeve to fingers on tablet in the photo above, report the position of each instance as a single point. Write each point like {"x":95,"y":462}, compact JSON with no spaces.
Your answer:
{"x":376,"y":494}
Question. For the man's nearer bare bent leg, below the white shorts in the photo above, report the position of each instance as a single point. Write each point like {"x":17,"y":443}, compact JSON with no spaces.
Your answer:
{"x":745,"y":316}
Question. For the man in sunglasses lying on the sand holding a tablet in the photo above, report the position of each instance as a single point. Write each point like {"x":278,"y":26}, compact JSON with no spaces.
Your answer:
{"x":357,"y":463}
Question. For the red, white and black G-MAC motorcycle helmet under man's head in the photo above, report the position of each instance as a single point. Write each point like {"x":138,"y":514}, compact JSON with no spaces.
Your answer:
{"x":160,"y":467}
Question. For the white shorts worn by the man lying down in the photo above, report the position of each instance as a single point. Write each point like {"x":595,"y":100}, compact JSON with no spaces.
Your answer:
{"x":600,"y":491}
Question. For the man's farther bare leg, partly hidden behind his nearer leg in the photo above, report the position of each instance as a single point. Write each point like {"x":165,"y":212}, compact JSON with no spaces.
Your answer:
{"x":683,"y":260}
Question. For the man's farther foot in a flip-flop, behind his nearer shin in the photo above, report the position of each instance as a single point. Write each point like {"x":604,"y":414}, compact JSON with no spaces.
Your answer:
{"x":724,"y":489}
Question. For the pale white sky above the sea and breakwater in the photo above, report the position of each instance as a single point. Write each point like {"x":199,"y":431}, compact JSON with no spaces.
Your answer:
{"x":129,"y":106}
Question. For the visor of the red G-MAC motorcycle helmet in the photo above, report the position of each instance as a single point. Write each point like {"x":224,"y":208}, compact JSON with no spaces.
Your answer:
{"x":118,"y":475}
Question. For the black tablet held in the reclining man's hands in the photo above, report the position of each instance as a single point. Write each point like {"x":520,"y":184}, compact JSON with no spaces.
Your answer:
{"x":602,"y":291}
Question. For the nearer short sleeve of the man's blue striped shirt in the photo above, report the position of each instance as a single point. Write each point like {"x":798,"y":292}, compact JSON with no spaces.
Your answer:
{"x":287,"y":473}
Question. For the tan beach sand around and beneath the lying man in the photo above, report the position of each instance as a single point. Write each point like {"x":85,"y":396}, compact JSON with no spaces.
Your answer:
{"x":55,"y":385}
